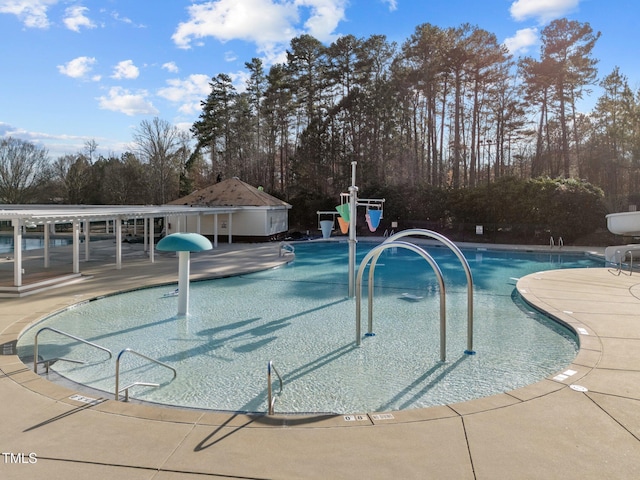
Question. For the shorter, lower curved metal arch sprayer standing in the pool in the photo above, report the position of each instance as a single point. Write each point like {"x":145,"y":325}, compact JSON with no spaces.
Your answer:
{"x":375,"y":252}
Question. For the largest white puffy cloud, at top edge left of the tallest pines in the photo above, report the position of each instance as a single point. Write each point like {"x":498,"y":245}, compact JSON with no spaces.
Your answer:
{"x":270,"y":24}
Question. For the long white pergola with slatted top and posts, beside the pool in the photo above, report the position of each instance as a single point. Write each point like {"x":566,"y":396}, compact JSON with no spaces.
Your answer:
{"x":29,"y":216}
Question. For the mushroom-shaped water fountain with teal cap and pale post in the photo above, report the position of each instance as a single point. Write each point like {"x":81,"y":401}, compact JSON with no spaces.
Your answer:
{"x":184,"y":244}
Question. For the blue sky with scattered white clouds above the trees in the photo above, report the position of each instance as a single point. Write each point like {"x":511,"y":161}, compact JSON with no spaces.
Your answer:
{"x":75,"y":71}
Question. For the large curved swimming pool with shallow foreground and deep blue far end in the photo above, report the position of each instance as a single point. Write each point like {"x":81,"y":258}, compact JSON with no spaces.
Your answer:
{"x":299,"y":316}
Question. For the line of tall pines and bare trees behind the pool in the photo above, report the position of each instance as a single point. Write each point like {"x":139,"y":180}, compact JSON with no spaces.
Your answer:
{"x":447,"y":110}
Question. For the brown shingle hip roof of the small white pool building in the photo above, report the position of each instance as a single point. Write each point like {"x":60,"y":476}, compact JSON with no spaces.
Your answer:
{"x":230,"y":192}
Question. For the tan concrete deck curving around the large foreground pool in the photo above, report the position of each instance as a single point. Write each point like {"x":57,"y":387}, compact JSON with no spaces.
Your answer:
{"x":545,"y":430}
